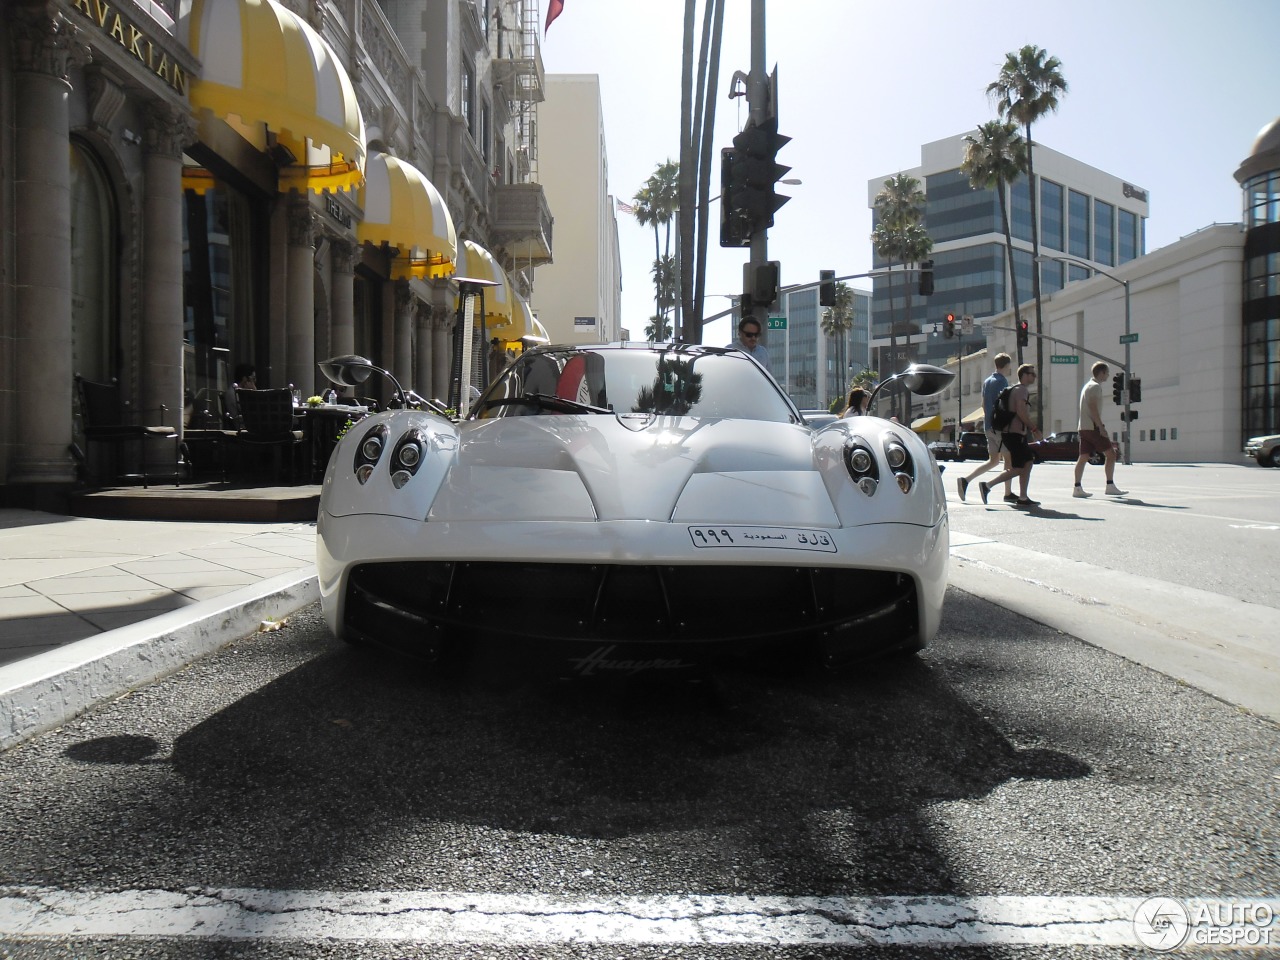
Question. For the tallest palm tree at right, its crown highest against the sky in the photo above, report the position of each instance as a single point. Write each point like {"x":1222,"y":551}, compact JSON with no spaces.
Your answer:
{"x":1027,"y":89}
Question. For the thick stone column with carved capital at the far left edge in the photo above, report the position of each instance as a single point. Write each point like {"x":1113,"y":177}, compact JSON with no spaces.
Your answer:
{"x":44,"y":48}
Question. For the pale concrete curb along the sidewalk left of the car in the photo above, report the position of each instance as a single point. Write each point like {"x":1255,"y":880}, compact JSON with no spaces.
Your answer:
{"x":45,"y":692}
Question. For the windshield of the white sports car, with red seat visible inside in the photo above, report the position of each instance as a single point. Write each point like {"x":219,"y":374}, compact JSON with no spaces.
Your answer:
{"x":636,"y":381}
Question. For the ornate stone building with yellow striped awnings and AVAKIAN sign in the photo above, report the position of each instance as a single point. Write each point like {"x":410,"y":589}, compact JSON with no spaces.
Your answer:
{"x":193,"y":186}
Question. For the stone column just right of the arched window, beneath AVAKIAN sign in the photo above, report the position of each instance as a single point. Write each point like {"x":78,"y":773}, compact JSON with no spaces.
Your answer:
{"x":168,"y":132}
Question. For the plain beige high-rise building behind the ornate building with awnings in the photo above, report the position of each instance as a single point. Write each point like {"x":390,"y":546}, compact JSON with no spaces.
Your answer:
{"x":580,"y":295}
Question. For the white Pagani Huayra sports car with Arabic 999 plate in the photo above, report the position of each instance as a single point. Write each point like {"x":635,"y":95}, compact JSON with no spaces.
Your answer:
{"x":627,"y":508}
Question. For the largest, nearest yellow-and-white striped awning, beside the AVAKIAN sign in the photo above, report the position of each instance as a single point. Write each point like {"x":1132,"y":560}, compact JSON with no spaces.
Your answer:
{"x":268,"y":72}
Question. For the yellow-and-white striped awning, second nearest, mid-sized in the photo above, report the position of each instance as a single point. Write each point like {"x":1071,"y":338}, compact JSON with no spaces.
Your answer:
{"x":405,"y":211}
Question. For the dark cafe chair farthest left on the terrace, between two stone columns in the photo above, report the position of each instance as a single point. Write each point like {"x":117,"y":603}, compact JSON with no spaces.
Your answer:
{"x":106,"y":424}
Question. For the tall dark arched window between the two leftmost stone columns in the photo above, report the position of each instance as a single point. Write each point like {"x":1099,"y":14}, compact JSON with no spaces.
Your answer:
{"x":95,"y":312}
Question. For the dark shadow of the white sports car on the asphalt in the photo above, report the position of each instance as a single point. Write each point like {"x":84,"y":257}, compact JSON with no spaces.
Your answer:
{"x":356,"y":761}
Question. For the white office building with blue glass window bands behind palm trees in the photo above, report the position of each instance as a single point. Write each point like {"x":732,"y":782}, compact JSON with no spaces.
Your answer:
{"x":1085,"y":214}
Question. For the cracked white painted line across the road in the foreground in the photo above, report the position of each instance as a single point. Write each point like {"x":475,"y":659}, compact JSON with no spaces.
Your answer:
{"x":426,"y":917}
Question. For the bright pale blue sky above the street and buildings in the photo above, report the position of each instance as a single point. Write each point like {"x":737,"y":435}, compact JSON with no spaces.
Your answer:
{"x":1169,"y":97}
